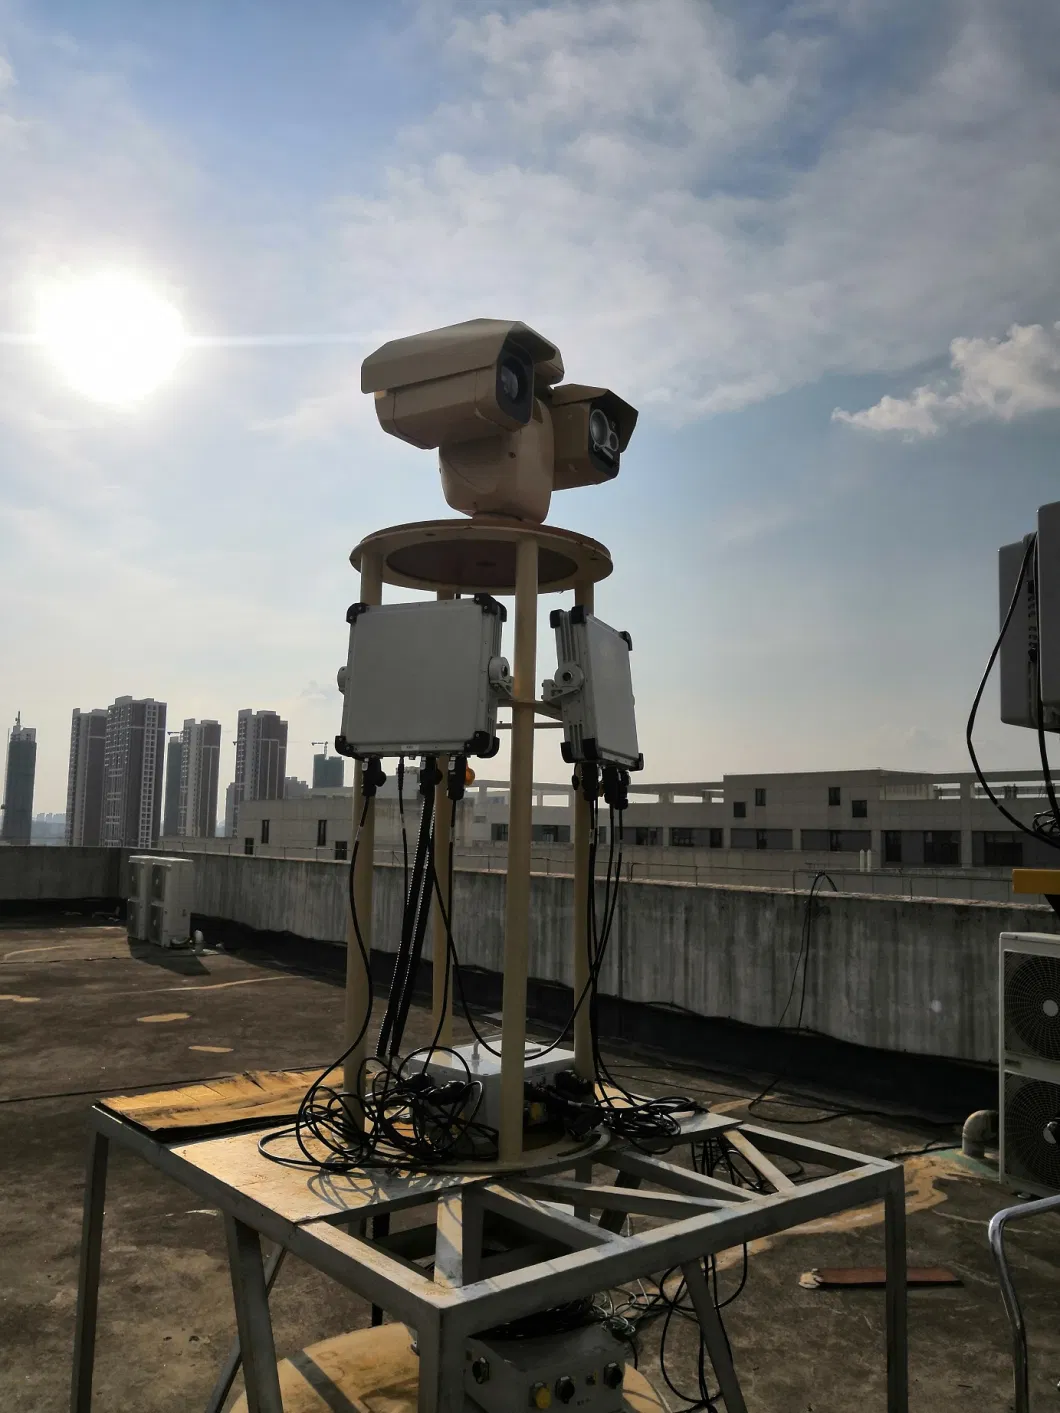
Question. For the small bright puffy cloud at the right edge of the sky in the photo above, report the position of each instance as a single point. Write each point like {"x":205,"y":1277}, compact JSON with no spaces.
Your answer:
{"x":994,"y":379}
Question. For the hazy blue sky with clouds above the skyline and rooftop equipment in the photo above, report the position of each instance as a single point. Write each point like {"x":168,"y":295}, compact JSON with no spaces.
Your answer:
{"x":816,"y":244}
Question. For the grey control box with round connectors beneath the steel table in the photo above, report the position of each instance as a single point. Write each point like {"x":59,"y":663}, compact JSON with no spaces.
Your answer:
{"x":580,"y":1370}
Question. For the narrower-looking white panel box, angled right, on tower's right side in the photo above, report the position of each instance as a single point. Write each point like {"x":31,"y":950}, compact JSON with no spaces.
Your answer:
{"x":594,"y":689}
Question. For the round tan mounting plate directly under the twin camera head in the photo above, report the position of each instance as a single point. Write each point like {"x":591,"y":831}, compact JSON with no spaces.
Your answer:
{"x":480,"y":556}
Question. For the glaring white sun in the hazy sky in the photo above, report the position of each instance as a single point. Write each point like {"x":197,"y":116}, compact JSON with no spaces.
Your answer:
{"x":112,"y":337}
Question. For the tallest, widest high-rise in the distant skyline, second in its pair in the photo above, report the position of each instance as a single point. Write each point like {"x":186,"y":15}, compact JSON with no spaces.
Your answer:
{"x":134,"y":774}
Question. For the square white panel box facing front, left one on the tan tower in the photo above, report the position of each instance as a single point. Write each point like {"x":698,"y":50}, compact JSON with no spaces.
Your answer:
{"x":423,"y":679}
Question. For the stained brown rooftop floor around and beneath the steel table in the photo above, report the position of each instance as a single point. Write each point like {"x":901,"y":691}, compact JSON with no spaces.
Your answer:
{"x":83,"y":1014}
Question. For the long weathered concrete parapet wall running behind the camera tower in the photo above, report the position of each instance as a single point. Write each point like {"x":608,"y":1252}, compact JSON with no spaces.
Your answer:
{"x":917,"y":976}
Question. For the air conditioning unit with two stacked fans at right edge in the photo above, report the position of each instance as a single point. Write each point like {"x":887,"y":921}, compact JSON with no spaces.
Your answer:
{"x":1030,"y":1049}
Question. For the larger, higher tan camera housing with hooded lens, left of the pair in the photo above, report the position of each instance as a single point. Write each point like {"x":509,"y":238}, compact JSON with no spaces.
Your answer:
{"x":447,"y":385}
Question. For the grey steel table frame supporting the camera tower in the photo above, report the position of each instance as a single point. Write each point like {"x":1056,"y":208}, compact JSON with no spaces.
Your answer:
{"x":471,"y":1291}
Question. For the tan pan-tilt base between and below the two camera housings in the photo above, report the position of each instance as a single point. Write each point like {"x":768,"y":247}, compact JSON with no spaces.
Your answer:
{"x":510,"y":475}
